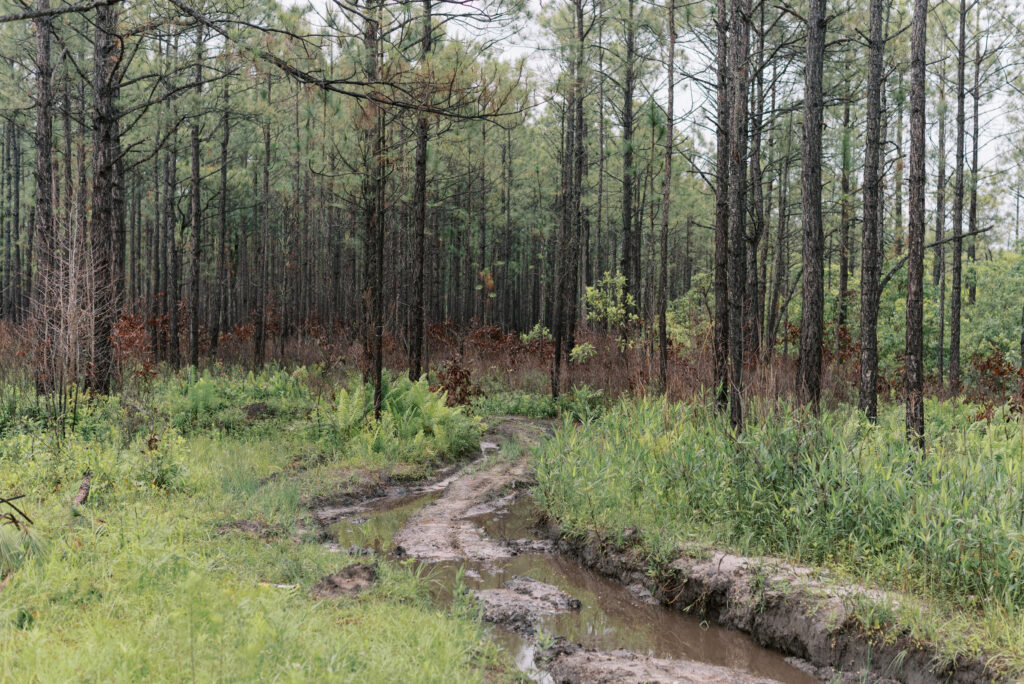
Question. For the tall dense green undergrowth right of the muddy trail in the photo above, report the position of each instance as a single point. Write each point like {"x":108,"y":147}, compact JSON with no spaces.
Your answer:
{"x":833,"y":491}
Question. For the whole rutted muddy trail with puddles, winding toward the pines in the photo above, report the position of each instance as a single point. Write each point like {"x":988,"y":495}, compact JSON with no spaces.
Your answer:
{"x":475,"y":531}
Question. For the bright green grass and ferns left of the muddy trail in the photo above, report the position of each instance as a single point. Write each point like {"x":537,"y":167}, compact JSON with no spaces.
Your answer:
{"x":145,"y":583}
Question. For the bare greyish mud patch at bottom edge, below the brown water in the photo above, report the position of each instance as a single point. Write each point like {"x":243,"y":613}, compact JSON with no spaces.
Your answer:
{"x":571,"y":664}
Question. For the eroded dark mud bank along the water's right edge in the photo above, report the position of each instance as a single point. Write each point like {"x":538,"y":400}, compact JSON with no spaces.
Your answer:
{"x":782,"y":607}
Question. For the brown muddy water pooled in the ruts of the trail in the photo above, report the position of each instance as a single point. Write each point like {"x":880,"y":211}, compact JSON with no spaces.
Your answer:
{"x":611,"y":616}
